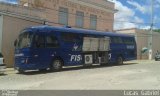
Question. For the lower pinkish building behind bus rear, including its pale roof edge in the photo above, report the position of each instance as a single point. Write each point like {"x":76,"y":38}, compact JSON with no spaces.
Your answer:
{"x":142,"y":38}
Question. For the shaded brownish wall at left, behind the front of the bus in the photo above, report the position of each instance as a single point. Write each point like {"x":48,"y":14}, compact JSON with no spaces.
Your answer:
{"x":11,"y":29}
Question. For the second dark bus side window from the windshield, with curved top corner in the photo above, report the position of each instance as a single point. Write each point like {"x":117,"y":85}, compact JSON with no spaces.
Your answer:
{"x":52,"y":41}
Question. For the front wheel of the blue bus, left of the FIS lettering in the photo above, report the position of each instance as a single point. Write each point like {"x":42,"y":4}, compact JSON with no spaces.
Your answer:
{"x":56,"y":65}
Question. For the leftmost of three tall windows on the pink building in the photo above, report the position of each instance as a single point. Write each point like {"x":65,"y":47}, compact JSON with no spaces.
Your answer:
{"x":63,"y":16}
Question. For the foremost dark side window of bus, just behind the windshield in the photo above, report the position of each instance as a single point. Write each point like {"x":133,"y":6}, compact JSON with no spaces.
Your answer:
{"x":39,"y":41}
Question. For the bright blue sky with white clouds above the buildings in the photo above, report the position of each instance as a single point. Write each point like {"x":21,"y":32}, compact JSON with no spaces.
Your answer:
{"x":132,"y":13}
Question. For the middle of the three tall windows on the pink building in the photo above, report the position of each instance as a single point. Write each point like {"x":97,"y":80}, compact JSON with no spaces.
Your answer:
{"x":79,"y":19}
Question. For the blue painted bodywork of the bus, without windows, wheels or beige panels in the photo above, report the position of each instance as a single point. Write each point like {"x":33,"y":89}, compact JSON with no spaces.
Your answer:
{"x":70,"y":53}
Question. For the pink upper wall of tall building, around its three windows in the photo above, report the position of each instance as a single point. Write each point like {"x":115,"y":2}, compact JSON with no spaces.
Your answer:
{"x":102,"y":9}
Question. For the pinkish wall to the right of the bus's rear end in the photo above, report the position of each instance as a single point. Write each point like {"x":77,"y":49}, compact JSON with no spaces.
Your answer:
{"x":142,"y":41}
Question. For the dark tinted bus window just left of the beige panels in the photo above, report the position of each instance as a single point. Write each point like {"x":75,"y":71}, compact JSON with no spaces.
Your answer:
{"x":70,"y":37}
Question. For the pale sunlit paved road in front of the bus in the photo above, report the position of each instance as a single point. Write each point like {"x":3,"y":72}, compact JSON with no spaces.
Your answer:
{"x":131,"y":75}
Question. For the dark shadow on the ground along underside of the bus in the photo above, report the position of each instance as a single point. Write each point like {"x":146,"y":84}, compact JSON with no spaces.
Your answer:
{"x":74,"y":69}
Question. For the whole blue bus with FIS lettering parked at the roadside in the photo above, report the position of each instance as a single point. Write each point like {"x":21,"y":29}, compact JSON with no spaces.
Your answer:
{"x":48,"y":47}
